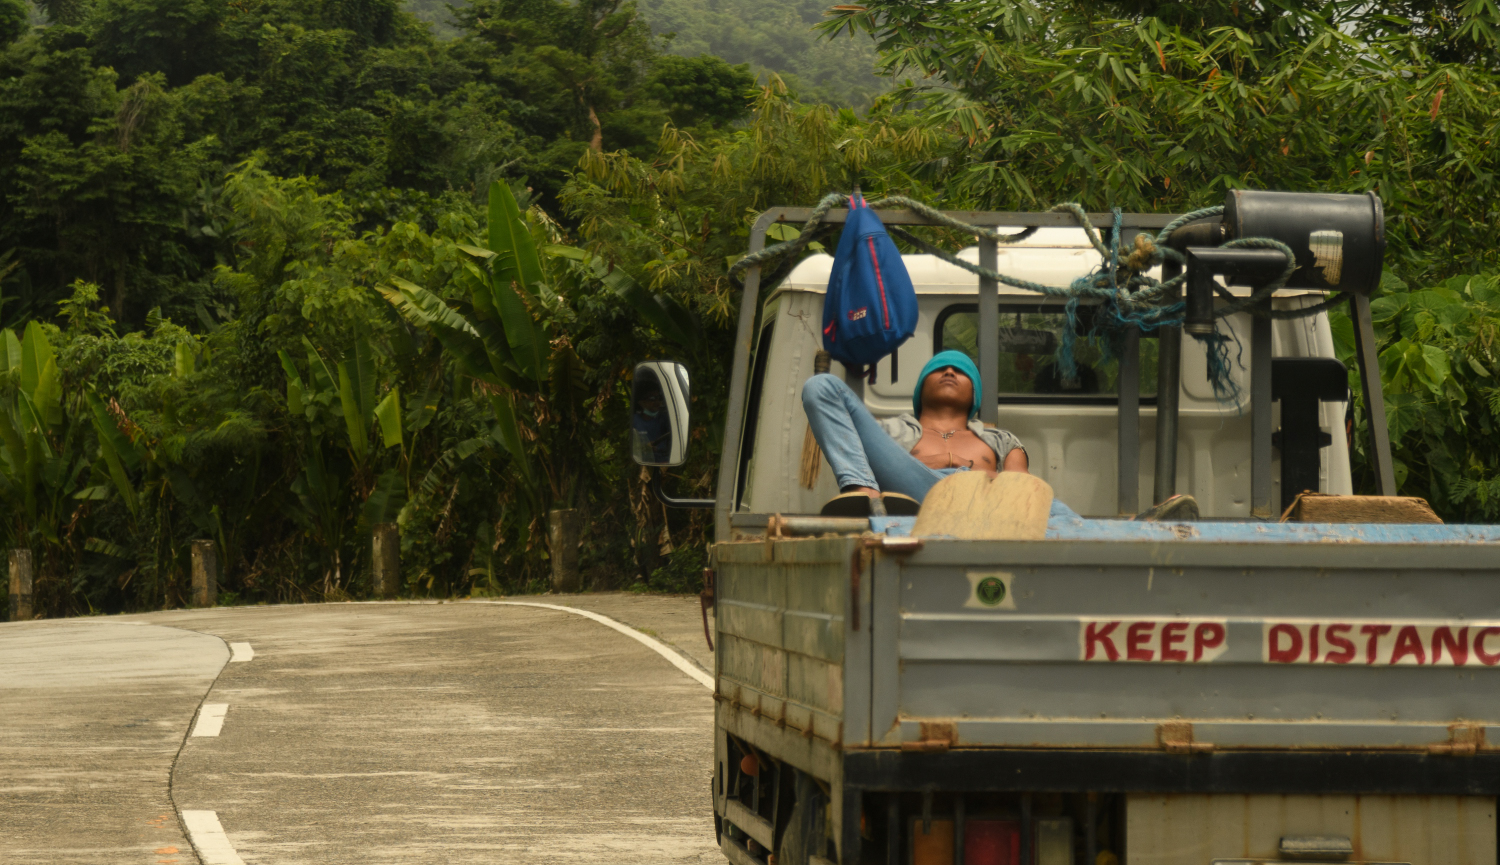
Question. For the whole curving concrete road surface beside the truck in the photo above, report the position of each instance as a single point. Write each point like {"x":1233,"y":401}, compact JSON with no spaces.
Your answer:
{"x":464,"y":732}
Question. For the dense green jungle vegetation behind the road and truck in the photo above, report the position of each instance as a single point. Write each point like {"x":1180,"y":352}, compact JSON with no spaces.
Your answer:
{"x":275,"y":272}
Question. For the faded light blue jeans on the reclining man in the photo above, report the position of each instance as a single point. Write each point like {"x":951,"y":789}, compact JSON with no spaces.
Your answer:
{"x":859,"y":450}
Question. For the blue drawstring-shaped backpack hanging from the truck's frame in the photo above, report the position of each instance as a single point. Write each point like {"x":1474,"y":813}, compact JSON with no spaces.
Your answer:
{"x":871,"y":307}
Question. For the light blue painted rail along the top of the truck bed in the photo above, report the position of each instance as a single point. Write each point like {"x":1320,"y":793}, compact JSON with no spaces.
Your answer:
{"x":1066,"y":525}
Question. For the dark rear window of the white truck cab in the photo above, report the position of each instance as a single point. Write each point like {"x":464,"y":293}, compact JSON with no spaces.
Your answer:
{"x":1030,"y":340}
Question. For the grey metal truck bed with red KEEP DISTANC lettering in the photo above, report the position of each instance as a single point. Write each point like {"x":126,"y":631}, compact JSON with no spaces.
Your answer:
{"x":1135,"y":666}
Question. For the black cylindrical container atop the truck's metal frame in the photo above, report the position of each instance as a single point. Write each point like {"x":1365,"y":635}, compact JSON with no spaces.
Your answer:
{"x":1339,"y":241}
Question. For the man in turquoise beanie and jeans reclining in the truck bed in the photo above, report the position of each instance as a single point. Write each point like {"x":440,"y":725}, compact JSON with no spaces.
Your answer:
{"x":889,"y":465}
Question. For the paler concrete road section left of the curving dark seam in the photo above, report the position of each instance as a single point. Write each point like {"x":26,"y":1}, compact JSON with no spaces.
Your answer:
{"x":92,"y":716}
